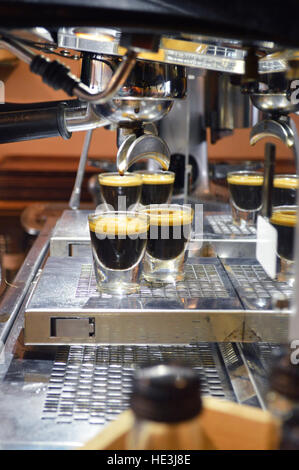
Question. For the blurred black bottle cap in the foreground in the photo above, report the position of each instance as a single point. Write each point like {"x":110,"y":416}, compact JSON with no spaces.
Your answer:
{"x":166,"y":393}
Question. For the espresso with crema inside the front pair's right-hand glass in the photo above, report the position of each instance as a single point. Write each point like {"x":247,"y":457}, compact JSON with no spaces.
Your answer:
{"x":169,"y":232}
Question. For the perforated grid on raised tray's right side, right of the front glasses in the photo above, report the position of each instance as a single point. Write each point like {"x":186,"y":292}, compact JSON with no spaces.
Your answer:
{"x":254,"y":282}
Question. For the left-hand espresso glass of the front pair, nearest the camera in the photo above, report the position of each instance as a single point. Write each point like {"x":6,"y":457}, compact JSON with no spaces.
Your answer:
{"x":118,"y":242}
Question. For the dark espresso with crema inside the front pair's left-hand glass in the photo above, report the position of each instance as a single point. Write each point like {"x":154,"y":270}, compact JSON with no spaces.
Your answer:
{"x":118,"y":242}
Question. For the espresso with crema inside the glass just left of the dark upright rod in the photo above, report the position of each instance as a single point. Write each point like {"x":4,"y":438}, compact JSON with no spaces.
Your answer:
{"x":246,"y":190}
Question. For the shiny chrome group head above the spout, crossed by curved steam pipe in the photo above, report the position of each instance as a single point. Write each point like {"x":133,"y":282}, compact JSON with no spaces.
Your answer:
{"x":138,"y":100}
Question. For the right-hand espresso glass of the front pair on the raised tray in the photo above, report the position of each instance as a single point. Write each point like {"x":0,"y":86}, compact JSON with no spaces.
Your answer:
{"x":170,"y":231}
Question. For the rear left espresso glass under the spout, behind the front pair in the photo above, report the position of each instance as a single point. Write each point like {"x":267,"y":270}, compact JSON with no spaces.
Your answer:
{"x":120,"y":192}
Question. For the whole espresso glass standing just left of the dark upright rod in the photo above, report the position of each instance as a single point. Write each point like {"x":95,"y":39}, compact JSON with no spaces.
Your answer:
{"x":245,"y":189}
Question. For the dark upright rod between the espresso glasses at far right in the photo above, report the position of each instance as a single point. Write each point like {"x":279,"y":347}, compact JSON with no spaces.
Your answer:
{"x":270,"y":151}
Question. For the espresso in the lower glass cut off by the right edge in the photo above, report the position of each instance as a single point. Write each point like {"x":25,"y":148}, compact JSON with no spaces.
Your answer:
{"x":285,"y":223}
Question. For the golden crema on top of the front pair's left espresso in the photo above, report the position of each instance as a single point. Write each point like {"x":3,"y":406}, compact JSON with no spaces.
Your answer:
{"x":123,"y":225}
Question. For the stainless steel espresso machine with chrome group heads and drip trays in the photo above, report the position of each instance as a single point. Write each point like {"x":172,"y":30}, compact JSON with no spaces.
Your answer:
{"x":160,"y":74}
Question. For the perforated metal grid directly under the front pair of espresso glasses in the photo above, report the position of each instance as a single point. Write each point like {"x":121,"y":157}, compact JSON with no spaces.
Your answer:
{"x":201,"y":281}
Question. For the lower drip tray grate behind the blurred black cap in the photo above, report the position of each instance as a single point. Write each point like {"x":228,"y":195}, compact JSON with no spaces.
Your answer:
{"x":93,"y":383}
